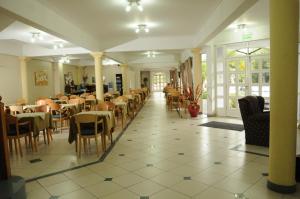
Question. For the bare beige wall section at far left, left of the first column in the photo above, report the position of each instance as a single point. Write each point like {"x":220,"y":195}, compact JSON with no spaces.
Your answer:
{"x":10,"y":84}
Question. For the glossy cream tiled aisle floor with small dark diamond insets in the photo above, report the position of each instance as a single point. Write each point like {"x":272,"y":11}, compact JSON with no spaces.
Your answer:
{"x":161,"y":156}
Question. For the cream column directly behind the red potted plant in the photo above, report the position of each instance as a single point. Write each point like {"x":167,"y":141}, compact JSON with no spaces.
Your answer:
{"x":197,"y":70}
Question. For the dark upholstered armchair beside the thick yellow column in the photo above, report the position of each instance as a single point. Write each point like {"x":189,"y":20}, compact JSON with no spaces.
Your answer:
{"x":256,"y":121}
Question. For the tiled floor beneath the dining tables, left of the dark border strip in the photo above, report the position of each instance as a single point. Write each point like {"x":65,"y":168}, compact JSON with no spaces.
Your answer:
{"x":58,"y":156}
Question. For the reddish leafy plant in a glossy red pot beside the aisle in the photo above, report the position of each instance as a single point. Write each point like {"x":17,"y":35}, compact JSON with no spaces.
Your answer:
{"x":193,"y":97}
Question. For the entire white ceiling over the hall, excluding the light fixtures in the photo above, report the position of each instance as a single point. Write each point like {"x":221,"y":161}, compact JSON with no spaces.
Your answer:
{"x":173,"y":25}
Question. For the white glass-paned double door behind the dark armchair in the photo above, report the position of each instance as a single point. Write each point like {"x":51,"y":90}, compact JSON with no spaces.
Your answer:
{"x":248,"y":75}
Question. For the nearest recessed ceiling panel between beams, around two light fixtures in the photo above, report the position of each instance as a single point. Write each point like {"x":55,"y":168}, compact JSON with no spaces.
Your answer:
{"x":108,"y":19}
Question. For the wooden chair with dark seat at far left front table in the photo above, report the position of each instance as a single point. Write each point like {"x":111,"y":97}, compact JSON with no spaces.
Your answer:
{"x":17,"y":130}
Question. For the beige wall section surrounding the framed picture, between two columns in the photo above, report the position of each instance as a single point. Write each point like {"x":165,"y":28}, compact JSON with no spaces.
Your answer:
{"x":34,"y":91}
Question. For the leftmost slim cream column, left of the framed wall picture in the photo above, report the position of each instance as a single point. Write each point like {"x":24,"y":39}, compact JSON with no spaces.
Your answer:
{"x":24,"y":81}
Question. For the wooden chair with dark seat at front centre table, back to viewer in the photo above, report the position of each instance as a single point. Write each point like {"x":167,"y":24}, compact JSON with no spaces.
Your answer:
{"x":88,"y":126}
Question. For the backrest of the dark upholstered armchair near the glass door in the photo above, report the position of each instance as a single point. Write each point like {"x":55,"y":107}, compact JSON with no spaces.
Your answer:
{"x":250,"y":105}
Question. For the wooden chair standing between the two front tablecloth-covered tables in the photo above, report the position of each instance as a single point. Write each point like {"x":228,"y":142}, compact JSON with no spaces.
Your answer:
{"x":59,"y":115}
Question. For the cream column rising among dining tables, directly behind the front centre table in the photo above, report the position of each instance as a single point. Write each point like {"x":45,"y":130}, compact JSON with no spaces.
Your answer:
{"x":98,"y":74}
